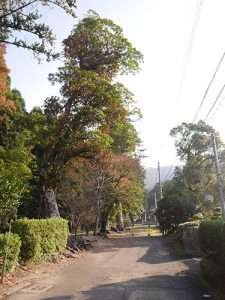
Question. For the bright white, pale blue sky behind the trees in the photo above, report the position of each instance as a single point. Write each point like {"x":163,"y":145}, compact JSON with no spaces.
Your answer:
{"x":182,"y":42}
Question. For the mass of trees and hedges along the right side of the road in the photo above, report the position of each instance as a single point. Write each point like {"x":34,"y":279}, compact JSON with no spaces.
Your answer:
{"x":189,"y":210}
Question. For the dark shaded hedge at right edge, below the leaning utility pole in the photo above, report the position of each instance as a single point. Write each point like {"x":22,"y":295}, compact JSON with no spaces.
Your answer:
{"x":210,"y":239}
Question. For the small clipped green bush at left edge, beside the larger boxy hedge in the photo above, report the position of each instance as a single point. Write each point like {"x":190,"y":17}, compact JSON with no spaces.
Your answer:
{"x":13,"y":250}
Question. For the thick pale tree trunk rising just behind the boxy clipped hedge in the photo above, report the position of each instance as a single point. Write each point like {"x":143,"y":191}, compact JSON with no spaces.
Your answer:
{"x":52,"y":210}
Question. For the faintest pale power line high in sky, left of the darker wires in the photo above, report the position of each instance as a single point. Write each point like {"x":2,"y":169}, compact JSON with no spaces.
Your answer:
{"x":190,"y":44}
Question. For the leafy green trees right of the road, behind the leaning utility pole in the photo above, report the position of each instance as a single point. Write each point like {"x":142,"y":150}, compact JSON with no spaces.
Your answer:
{"x":193,"y":189}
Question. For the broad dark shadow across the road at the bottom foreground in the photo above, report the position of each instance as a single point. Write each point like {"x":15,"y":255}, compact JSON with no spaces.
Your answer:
{"x":153,"y":287}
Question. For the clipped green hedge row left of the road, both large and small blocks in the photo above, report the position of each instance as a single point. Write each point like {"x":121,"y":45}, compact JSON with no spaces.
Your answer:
{"x":34,"y":240}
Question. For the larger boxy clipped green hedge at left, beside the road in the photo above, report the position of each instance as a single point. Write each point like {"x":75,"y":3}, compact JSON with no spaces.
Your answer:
{"x":41,"y":238}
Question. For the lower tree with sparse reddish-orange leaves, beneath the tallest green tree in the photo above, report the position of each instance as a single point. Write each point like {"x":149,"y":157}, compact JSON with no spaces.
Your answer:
{"x":100,"y":183}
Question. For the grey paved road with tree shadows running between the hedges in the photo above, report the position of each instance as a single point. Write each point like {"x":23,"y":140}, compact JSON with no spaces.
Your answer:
{"x":123,"y":268}
